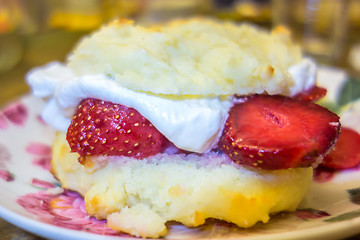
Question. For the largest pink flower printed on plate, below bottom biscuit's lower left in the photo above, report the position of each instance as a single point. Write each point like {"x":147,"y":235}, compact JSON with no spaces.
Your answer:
{"x":66,"y":209}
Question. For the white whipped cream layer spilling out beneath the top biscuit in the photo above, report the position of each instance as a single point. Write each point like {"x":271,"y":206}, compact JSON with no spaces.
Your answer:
{"x":193,"y":124}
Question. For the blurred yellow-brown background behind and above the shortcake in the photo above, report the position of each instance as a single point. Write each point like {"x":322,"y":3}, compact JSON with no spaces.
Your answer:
{"x":34,"y":32}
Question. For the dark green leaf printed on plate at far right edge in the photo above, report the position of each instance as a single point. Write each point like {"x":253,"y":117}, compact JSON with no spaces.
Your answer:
{"x":350,"y":91}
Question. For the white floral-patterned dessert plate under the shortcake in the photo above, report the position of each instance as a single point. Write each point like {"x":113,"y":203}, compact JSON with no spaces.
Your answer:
{"x":32,"y":199}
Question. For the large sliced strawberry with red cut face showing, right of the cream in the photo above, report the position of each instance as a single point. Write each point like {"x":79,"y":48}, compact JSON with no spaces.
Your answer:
{"x":278,"y":132}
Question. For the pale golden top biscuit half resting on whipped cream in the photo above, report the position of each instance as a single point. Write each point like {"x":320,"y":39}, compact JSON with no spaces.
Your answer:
{"x":198,"y":56}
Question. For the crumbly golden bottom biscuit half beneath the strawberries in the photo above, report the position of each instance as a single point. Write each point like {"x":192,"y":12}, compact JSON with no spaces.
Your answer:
{"x":139,"y":196}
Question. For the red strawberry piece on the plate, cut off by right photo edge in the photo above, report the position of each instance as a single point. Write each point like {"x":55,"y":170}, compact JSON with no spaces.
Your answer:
{"x":346,"y":153}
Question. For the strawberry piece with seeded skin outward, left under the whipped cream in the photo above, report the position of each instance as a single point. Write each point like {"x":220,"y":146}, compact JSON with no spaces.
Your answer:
{"x":105,"y":128}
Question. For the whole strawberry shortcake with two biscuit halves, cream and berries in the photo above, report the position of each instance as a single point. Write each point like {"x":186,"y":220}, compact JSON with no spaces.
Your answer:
{"x":185,"y":121}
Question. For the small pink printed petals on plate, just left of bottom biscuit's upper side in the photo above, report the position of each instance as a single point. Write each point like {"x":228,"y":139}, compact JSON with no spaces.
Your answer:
{"x":43,"y":154}
